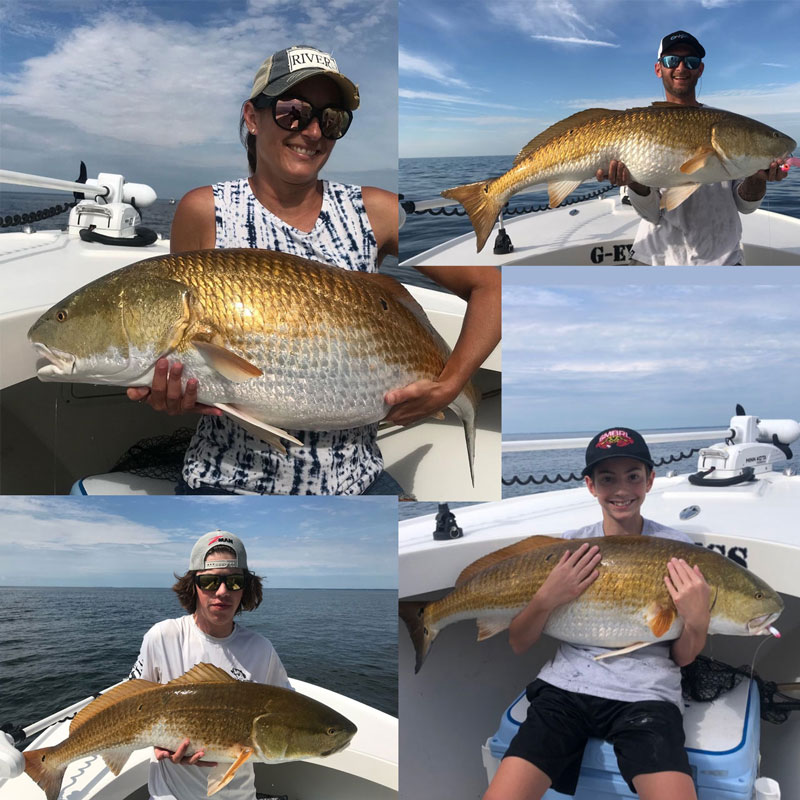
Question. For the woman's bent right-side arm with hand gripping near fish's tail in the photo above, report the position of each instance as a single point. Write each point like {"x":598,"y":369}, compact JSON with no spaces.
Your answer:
{"x":480,"y":333}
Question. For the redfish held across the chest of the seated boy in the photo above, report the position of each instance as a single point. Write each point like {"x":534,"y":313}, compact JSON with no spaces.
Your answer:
{"x":627,"y":605}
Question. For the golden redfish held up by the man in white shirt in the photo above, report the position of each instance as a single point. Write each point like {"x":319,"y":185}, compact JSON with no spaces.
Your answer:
{"x":664,"y":145}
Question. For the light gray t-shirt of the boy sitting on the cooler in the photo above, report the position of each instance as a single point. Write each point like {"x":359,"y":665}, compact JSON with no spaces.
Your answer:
{"x":645,"y":674}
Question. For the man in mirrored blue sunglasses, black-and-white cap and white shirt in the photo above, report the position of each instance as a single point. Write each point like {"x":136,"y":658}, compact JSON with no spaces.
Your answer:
{"x":704,"y":229}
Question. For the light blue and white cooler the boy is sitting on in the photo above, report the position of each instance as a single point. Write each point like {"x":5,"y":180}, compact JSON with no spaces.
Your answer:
{"x":722,"y":741}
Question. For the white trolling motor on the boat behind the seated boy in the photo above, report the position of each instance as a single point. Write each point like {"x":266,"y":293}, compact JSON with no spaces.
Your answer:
{"x":752,"y":446}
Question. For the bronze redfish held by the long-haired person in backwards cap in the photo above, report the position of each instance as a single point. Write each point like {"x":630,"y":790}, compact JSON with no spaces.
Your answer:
{"x":231,"y":720}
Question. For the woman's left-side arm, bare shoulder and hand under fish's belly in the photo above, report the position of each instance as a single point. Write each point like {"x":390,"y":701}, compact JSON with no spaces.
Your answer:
{"x":193,"y":228}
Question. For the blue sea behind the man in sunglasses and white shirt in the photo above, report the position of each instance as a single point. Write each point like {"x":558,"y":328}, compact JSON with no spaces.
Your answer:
{"x":425,"y":178}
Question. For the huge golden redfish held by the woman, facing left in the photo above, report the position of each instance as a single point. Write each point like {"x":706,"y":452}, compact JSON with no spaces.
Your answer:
{"x":276,"y":341}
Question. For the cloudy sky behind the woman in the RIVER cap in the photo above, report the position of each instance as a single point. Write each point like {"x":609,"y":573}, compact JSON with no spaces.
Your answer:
{"x":153,"y":90}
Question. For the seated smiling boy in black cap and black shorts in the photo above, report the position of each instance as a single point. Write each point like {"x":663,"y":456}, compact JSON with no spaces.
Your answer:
{"x":633,"y":699}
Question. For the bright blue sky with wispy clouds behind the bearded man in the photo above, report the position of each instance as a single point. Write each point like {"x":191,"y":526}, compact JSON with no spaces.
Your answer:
{"x":487,"y":79}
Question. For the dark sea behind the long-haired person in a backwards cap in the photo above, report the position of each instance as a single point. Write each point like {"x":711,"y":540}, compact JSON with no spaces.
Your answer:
{"x":60,"y":645}
